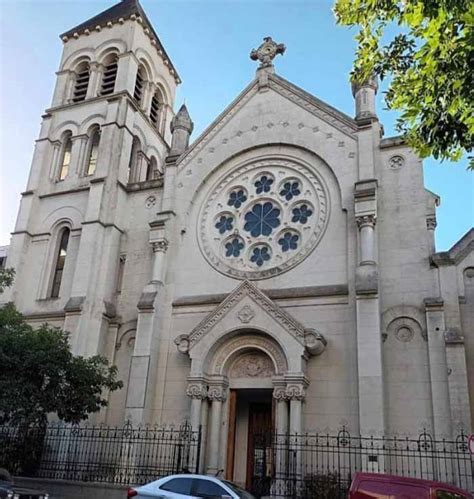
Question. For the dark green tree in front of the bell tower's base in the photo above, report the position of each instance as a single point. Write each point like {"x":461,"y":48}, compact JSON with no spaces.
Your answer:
{"x":39,"y":374}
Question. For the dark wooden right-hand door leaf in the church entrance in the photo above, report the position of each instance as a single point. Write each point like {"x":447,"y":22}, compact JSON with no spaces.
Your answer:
{"x":258,"y":448}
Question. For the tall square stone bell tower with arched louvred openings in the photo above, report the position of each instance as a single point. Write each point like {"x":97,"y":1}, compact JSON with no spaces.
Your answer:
{"x":102,"y":144}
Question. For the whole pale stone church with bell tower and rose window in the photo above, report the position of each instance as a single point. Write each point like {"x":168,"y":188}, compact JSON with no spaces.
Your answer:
{"x":279,"y":271}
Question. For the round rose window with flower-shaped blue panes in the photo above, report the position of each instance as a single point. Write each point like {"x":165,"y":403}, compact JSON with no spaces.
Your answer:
{"x":263,"y":218}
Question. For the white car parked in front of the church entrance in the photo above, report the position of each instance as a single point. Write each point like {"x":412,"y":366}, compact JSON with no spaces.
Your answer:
{"x":189,"y":486}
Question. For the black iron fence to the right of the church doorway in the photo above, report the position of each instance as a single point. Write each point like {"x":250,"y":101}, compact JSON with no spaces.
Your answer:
{"x":322,"y":465}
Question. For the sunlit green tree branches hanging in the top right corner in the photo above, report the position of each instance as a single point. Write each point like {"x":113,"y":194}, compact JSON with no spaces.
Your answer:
{"x":430,"y":61}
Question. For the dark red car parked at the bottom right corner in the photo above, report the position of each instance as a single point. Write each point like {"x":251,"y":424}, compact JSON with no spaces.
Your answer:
{"x":381,"y":486}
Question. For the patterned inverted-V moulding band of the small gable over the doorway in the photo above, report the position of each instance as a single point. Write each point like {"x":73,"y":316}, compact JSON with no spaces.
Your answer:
{"x":289,"y":323}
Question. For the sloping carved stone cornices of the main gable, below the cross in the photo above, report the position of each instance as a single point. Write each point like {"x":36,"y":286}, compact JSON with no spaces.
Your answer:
{"x":306,"y":101}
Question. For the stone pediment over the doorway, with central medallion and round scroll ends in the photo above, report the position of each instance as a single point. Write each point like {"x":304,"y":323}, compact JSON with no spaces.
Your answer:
{"x":245,"y":303}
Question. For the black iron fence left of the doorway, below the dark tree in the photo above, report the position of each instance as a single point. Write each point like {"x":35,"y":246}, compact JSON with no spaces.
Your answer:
{"x":120,"y":455}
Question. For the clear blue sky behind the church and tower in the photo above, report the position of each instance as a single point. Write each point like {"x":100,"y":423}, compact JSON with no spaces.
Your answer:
{"x":209,"y":43}
